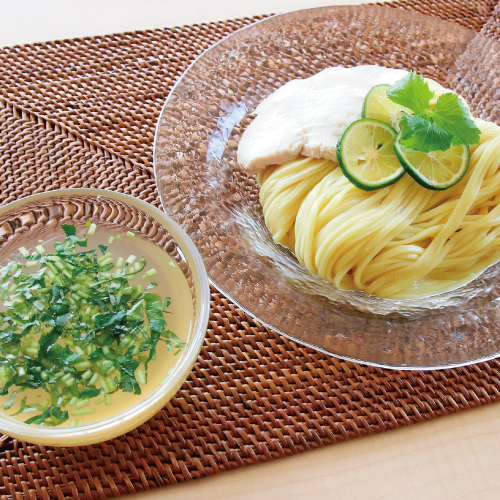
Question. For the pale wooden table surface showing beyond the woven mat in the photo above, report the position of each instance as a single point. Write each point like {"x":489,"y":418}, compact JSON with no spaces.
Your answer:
{"x":452,"y":457}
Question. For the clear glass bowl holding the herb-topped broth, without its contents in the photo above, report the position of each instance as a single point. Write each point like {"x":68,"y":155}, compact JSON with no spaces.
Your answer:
{"x":37,"y":217}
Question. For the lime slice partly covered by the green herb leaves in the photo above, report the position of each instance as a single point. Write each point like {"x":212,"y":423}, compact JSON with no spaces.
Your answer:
{"x":435,"y":170}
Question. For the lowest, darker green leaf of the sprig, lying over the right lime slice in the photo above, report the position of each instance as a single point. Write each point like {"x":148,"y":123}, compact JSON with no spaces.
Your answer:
{"x":418,"y":133}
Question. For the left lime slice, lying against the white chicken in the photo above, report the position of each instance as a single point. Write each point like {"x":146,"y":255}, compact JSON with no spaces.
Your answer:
{"x":365,"y":152}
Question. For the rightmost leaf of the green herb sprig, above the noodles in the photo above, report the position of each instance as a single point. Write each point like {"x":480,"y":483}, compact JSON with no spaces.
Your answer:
{"x":451,"y":114}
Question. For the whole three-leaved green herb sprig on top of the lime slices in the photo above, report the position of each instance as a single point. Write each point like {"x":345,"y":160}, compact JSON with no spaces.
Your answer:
{"x":448,"y":123}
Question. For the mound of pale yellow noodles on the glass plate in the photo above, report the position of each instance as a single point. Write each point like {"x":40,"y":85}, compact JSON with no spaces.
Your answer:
{"x":399,"y":242}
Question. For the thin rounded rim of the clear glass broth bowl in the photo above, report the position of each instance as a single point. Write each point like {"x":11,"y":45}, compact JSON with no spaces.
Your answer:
{"x":191,"y":353}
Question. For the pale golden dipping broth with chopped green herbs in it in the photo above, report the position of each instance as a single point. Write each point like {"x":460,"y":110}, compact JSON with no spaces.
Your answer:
{"x":103,"y":324}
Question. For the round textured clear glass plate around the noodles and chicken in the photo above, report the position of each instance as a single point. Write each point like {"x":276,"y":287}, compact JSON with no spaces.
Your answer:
{"x":203,"y":189}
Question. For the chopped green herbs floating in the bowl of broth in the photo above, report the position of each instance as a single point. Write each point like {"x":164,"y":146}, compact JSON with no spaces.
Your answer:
{"x":74,"y":330}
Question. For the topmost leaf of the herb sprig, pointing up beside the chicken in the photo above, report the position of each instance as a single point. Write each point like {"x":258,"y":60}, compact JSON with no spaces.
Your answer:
{"x":412,"y":92}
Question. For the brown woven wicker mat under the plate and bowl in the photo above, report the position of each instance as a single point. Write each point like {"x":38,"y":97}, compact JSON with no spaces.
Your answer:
{"x":82,"y":113}
